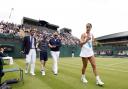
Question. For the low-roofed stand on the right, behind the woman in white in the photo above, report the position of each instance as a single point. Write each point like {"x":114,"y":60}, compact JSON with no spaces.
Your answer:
{"x":113,"y":44}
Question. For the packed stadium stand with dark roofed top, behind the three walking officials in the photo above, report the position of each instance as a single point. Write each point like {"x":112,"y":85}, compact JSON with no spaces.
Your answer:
{"x":12,"y":34}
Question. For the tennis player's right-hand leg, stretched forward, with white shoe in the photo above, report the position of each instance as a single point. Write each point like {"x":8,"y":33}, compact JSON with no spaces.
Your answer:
{"x":93,"y":64}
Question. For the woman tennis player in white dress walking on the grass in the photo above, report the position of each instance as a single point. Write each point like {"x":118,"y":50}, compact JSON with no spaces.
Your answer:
{"x":87,"y":54}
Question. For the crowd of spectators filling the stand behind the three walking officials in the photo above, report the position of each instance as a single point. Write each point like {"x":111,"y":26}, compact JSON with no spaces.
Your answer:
{"x":21,"y":31}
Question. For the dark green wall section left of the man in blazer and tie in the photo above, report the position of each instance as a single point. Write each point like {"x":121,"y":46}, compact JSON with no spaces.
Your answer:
{"x":13,"y":41}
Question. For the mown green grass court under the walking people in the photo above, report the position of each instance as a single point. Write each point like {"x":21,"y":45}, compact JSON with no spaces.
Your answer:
{"x":113,"y":71}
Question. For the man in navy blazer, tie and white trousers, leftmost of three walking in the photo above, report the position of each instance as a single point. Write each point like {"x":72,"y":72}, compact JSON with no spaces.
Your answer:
{"x":29,"y":49}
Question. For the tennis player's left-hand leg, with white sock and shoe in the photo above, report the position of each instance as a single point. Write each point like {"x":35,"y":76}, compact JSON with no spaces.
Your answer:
{"x":85,"y":62}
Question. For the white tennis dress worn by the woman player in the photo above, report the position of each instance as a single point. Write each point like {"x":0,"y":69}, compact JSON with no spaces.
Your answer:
{"x":87,"y":49}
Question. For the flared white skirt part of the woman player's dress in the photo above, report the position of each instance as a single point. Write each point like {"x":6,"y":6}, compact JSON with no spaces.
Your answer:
{"x":86,"y":52}
